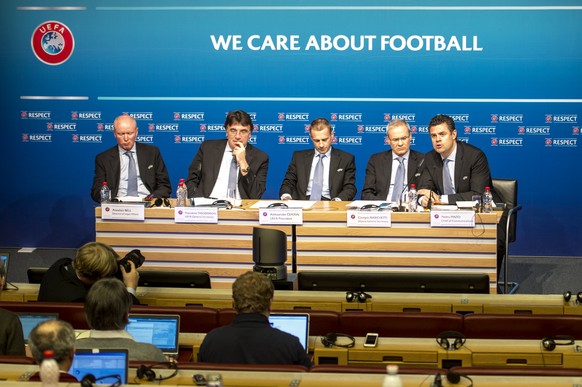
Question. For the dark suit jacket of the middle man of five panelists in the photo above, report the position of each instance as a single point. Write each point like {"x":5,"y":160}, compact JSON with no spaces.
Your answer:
{"x":342,"y":175}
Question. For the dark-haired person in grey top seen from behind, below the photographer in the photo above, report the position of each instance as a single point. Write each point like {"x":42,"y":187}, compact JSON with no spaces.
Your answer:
{"x":107,"y":309}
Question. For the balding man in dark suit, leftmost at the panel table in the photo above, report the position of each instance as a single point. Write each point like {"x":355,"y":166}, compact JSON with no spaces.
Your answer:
{"x":113,"y":165}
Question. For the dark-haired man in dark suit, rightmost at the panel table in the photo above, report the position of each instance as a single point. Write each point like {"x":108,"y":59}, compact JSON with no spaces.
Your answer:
{"x":467,"y":172}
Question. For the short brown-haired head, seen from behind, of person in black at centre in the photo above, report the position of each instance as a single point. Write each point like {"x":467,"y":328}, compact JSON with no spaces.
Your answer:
{"x":252,"y":293}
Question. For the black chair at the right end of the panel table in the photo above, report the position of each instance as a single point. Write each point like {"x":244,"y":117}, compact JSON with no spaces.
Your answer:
{"x":506,"y":189}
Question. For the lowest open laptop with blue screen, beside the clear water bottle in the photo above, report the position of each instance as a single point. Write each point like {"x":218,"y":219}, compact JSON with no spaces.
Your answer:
{"x":104,"y":364}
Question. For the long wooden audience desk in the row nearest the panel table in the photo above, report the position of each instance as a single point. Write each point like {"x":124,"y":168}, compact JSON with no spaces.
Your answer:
{"x":388,"y":302}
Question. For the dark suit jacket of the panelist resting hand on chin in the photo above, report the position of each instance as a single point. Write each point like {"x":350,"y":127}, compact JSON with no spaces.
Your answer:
{"x":204,"y":169}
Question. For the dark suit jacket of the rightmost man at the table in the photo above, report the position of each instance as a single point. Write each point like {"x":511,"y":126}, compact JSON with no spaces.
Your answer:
{"x":472,"y":173}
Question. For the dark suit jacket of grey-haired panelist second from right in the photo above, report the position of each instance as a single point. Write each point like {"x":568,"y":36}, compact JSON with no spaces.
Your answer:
{"x":379,"y":172}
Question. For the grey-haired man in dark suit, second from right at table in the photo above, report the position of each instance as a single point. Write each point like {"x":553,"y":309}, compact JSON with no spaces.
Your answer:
{"x":382,"y":169}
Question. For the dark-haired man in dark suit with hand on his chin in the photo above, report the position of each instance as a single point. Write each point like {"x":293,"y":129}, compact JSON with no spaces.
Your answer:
{"x":209,"y":174}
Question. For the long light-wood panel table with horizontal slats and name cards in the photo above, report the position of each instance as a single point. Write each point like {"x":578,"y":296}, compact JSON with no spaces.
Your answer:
{"x":324,"y":242}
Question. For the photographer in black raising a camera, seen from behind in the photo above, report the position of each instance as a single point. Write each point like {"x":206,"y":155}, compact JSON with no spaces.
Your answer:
{"x":69,"y":280}
